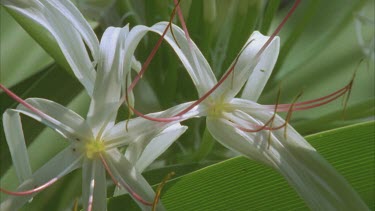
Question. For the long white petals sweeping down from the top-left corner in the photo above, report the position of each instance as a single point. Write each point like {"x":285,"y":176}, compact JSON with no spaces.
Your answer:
{"x":69,"y":29}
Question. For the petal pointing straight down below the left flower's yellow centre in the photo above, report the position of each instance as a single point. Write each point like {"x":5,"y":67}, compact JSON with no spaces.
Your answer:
{"x":94,"y":185}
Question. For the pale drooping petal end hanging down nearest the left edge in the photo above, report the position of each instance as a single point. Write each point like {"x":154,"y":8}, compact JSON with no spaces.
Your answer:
{"x":17,"y":145}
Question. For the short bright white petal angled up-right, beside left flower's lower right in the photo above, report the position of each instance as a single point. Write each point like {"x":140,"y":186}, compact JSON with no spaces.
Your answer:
{"x":158,"y":145}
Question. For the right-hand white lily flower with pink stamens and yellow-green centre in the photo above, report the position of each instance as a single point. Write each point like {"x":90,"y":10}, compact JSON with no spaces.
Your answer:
{"x":253,"y":130}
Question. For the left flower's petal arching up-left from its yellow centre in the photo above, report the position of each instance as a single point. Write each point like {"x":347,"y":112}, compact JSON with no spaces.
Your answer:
{"x":59,"y":118}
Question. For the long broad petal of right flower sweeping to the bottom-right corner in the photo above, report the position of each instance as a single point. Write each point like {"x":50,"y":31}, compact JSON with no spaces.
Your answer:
{"x":314,"y":179}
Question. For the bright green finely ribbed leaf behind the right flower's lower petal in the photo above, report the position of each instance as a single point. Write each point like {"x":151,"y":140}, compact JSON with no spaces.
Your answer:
{"x":241,"y":184}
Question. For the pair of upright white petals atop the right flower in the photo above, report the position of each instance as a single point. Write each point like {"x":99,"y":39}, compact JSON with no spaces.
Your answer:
{"x":248,"y":67}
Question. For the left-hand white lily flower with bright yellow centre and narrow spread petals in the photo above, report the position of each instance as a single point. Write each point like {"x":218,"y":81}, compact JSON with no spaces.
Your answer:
{"x":94,"y":141}
